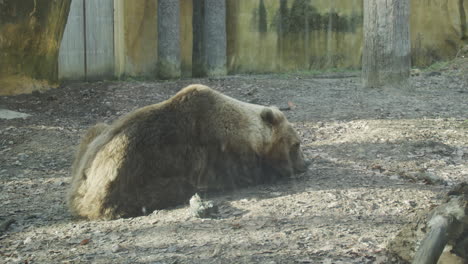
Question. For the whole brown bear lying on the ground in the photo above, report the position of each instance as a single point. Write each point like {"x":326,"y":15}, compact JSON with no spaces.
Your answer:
{"x":158,"y":156}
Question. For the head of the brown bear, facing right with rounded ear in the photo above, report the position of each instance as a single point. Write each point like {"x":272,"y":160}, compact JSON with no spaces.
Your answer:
{"x":283,"y":150}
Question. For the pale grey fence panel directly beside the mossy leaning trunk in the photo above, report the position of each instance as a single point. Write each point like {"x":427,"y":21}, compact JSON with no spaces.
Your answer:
{"x":71,"y":64}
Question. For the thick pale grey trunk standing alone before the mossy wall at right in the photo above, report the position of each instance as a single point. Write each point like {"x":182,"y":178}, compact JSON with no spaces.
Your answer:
{"x":386,"y":54}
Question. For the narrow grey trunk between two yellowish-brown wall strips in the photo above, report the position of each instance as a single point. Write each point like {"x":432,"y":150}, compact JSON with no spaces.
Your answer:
{"x":168,"y":39}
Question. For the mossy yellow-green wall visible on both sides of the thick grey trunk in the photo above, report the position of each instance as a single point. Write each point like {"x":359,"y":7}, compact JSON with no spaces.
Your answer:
{"x":288,"y":35}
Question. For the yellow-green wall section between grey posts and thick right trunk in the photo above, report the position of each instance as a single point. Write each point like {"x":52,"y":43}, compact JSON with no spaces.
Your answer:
{"x":300,"y":36}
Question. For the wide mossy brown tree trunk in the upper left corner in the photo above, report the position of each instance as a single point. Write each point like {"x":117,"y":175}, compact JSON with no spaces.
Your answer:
{"x":32,"y":32}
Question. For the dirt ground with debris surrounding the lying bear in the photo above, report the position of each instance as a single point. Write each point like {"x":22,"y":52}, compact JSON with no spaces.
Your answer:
{"x":379,"y":157}
